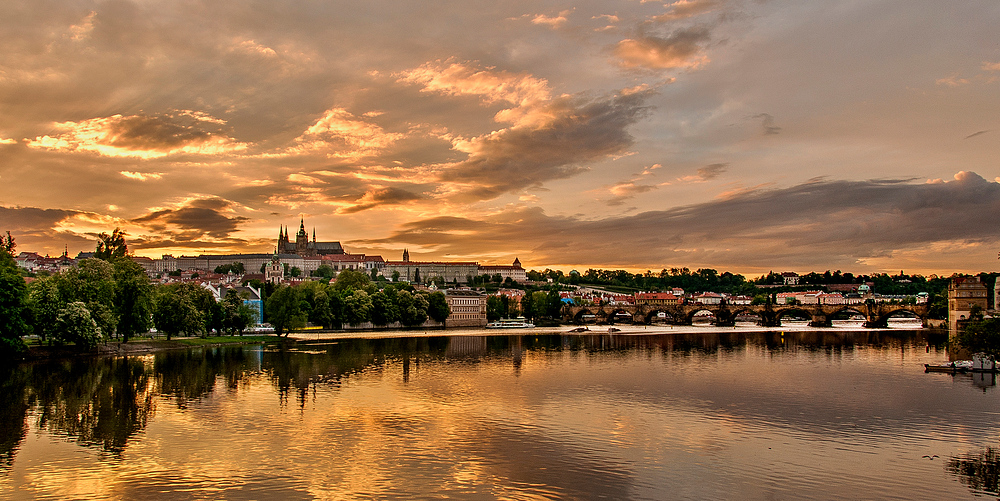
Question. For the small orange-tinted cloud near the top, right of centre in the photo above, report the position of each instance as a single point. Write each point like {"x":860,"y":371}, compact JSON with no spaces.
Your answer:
{"x":682,"y":49}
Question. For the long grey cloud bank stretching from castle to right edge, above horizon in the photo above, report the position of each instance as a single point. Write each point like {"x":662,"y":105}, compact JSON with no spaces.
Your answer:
{"x":817,"y":224}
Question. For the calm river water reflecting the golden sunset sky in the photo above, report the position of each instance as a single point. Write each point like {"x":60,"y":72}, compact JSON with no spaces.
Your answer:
{"x":695,"y":414}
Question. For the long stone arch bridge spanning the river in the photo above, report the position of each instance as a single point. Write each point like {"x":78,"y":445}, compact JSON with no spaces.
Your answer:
{"x":770,"y":315}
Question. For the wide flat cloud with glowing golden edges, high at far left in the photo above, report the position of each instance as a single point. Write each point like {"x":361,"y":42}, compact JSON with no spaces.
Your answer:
{"x":141,"y":136}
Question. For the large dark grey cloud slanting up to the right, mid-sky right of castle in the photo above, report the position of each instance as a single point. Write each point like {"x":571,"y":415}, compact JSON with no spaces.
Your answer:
{"x":520,"y":158}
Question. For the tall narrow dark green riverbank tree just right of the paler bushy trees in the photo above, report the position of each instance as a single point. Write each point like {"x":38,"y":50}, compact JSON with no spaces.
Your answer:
{"x":133,"y":297}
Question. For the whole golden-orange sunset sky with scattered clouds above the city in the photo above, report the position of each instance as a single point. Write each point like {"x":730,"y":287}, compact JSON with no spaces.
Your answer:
{"x":744,"y":136}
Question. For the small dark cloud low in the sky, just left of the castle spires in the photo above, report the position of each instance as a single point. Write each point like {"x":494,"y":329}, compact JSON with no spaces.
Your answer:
{"x":198,"y":220}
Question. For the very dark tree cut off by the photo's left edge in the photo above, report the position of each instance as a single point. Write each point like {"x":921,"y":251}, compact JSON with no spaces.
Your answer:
{"x":14,"y":311}
